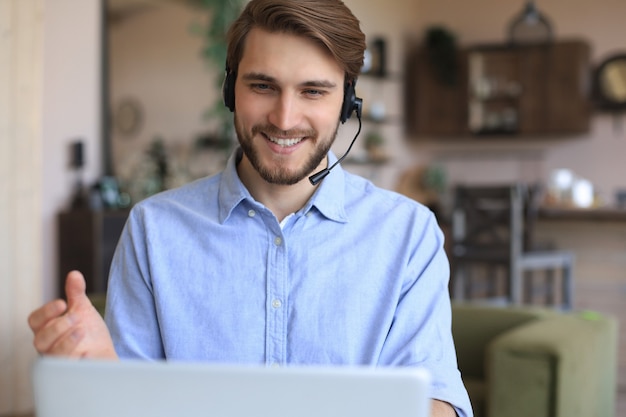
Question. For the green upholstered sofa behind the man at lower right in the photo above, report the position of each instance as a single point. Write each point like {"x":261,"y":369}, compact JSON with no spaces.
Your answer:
{"x":536,"y":362}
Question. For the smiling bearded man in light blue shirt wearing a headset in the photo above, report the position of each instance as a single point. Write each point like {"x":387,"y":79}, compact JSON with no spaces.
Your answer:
{"x":256,"y":264}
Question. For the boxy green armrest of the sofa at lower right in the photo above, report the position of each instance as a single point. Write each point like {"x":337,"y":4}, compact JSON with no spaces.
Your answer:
{"x":556,"y":367}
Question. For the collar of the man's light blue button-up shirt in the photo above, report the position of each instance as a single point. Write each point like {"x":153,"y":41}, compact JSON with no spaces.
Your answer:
{"x":328,"y":199}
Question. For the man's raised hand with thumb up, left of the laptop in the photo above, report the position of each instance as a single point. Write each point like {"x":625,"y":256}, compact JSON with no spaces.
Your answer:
{"x":73,"y":329}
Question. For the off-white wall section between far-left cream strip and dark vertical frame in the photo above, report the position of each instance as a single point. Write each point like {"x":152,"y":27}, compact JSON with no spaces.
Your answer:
{"x":71,"y":111}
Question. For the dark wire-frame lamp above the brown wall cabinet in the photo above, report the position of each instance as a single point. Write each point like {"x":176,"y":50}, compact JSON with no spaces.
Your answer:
{"x":530,"y":26}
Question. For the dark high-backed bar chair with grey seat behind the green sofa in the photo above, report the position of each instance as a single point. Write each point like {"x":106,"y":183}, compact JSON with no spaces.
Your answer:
{"x":492,"y":244}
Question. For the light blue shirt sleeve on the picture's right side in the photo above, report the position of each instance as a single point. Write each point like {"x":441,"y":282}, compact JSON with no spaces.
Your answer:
{"x":421,"y":333}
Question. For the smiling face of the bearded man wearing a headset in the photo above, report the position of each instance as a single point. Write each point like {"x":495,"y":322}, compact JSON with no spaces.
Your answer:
{"x":288,"y":93}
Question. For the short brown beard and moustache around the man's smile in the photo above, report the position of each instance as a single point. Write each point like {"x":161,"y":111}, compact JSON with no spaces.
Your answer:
{"x":276,"y":172}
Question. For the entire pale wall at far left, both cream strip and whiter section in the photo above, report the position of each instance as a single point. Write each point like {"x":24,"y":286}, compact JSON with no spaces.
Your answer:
{"x":49,"y":79}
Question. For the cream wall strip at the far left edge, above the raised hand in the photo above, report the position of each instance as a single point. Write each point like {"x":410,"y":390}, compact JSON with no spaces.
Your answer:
{"x":20,"y":183}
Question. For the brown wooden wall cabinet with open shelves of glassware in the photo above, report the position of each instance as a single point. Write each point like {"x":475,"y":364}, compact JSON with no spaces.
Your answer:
{"x":506,"y":90}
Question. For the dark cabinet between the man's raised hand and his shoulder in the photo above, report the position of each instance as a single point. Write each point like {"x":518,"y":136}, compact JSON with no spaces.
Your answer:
{"x":87,"y":240}
